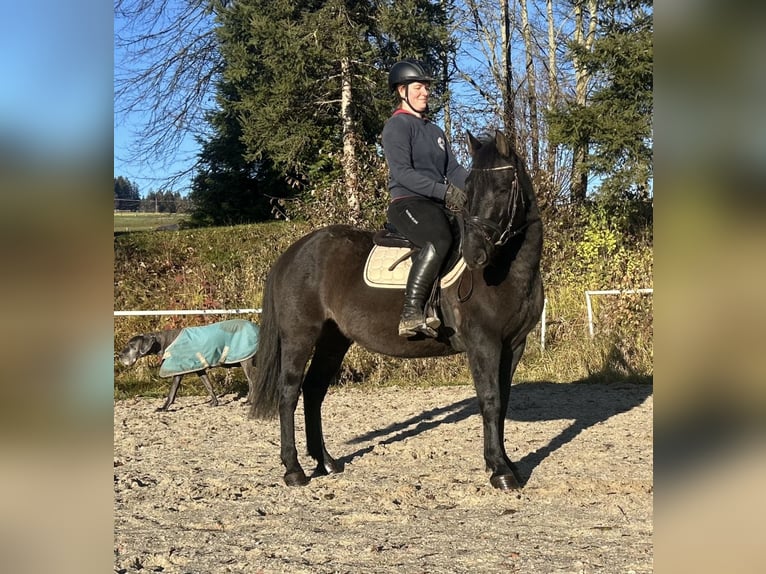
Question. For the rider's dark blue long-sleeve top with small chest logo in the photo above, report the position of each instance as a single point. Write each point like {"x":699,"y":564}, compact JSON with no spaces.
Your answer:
{"x":420,"y":161}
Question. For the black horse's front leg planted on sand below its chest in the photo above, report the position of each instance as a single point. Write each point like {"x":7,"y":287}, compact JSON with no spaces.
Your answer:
{"x":490,"y":370}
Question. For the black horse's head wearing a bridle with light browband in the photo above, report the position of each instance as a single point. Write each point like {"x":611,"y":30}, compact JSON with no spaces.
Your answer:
{"x":498,"y":201}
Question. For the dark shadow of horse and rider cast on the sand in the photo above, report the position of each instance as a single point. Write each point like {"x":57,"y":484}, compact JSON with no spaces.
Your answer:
{"x":584,"y":402}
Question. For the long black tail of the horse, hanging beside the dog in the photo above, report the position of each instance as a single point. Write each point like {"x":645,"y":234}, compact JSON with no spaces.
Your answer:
{"x":264,"y":402}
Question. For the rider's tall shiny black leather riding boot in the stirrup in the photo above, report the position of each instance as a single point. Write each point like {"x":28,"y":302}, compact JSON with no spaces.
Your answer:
{"x":424,"y":271}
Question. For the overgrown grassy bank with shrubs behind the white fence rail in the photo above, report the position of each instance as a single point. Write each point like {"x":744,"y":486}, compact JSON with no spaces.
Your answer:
{"x":225,"y":267}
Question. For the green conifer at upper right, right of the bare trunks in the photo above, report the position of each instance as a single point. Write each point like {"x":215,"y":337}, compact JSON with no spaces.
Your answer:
{"x":616,"y":123}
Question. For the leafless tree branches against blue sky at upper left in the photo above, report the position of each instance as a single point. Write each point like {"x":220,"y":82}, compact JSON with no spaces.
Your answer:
{"x":166,"y":65}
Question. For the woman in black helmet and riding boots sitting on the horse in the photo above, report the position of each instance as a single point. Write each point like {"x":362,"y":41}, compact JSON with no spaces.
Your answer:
{"x":425,"y":180}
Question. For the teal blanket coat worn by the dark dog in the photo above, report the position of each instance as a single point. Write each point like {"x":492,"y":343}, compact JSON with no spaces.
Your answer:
{"x":198,"y":348}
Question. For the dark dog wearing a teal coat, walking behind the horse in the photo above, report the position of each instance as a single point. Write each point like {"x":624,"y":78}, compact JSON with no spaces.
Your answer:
{"x":194,"y":350}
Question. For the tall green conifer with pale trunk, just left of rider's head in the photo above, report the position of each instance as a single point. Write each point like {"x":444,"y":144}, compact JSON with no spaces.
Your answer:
{"x":308,"y":81}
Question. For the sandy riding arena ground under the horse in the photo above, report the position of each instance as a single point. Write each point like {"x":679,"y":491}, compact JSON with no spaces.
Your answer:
{"x":199,"y":489}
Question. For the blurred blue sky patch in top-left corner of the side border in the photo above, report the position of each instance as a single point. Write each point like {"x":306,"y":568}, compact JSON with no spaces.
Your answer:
{"x":56,"y":92}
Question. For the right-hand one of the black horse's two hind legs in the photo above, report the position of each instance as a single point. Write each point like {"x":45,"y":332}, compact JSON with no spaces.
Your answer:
{"x":328,"y":356}
